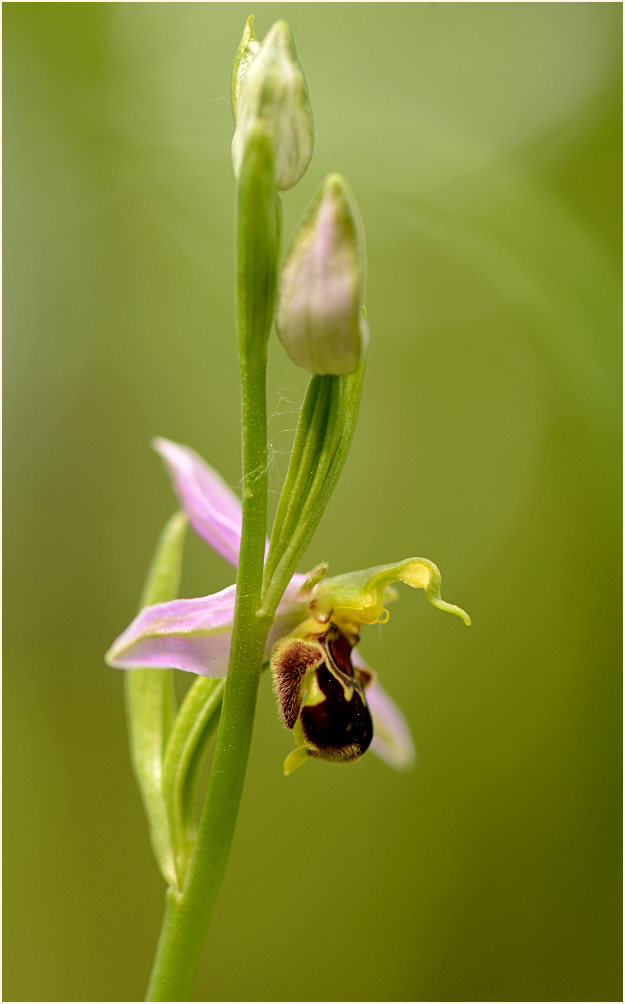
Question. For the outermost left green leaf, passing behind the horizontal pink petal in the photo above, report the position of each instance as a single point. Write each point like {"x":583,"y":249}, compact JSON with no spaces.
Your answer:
{"x":151,"y":702}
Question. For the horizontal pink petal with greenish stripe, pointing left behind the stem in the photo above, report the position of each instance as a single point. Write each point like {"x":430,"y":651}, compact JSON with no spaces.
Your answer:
{"x":194,"y":635}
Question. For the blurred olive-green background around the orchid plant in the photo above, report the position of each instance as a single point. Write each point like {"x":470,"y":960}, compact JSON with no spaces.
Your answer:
{"x":483,"y":142}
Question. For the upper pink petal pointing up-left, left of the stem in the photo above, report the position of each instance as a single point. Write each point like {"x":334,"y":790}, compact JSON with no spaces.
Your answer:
{"x":213,"y":509}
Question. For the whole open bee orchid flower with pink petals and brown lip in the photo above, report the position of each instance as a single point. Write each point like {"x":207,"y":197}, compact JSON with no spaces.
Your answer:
{"x":327,"y":694}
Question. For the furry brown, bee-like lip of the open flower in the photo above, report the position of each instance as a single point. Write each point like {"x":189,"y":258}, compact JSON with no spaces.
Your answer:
{"x":322,"y":697}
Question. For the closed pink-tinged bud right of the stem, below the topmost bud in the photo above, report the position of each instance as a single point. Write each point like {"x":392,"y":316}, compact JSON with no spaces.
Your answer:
{"x":322,"y":321}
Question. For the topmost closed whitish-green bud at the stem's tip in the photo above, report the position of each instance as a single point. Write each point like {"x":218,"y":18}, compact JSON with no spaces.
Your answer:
{"x":268,"y":85}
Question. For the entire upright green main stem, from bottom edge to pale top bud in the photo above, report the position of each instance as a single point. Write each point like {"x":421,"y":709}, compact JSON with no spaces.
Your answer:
{"x":189,"y":910}
